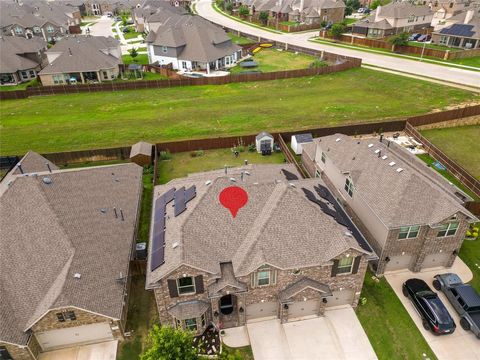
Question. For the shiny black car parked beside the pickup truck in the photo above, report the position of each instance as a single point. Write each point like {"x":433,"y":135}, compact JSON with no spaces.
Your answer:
{"x":434,"y":314}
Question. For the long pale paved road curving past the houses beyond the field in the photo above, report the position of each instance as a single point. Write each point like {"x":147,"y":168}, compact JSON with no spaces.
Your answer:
{"x":439,"y":72}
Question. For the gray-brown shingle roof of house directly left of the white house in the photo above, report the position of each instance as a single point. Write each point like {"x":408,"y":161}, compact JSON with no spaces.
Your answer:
{"x":82,"y":53}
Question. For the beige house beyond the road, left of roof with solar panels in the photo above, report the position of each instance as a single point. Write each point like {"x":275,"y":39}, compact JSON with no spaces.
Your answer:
{"x":394,"y":18}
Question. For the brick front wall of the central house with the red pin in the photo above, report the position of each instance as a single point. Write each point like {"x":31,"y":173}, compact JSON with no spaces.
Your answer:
{"x":255,"y":295}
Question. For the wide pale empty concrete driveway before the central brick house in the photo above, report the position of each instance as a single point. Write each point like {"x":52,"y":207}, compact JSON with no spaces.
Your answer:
{"x":337,"y":335}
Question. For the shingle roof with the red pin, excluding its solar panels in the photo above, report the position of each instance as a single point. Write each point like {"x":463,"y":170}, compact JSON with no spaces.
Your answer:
{"x":277,"y":226}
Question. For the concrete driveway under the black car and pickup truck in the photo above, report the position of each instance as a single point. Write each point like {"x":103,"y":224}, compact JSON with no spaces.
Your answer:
{"x":461,"y":345}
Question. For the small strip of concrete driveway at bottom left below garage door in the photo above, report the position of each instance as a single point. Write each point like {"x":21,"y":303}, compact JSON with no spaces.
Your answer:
{"x":102,"y":351}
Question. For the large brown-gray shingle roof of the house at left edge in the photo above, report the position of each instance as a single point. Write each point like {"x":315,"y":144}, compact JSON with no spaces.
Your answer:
{"x":52,"y":231}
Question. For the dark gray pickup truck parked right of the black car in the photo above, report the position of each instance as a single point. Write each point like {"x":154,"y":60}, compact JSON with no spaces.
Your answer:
{"x":463,"y":298}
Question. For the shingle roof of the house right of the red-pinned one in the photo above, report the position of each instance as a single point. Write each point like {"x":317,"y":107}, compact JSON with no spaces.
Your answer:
{"x":416,"y":195}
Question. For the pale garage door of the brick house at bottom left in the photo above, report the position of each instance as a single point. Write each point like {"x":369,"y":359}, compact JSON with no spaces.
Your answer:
{"x":55,"y":339}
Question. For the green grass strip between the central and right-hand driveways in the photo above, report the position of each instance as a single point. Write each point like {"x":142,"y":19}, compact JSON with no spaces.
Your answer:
{"x":388,"y":325}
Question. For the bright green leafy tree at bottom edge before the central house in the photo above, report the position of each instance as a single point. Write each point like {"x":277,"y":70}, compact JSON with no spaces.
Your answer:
{"x":167,"y":343}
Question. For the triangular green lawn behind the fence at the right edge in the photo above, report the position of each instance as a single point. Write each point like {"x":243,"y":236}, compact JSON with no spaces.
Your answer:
{"x":461,"y":144}
